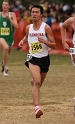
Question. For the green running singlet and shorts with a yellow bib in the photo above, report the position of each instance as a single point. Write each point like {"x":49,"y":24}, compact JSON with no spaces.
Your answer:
{"x":6,"y":30}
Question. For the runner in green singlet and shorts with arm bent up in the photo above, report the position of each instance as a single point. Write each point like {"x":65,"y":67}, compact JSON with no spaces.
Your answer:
{"x":8,"y":22}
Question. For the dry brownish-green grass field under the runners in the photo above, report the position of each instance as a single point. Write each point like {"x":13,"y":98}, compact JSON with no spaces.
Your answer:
{"x":16,"y":105}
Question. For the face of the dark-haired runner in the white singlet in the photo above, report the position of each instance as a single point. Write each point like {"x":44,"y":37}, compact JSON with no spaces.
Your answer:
{"x":36,"y":14}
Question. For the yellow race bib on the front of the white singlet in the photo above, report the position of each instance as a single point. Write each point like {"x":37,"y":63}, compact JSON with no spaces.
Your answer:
{"x":36,"y":47}
